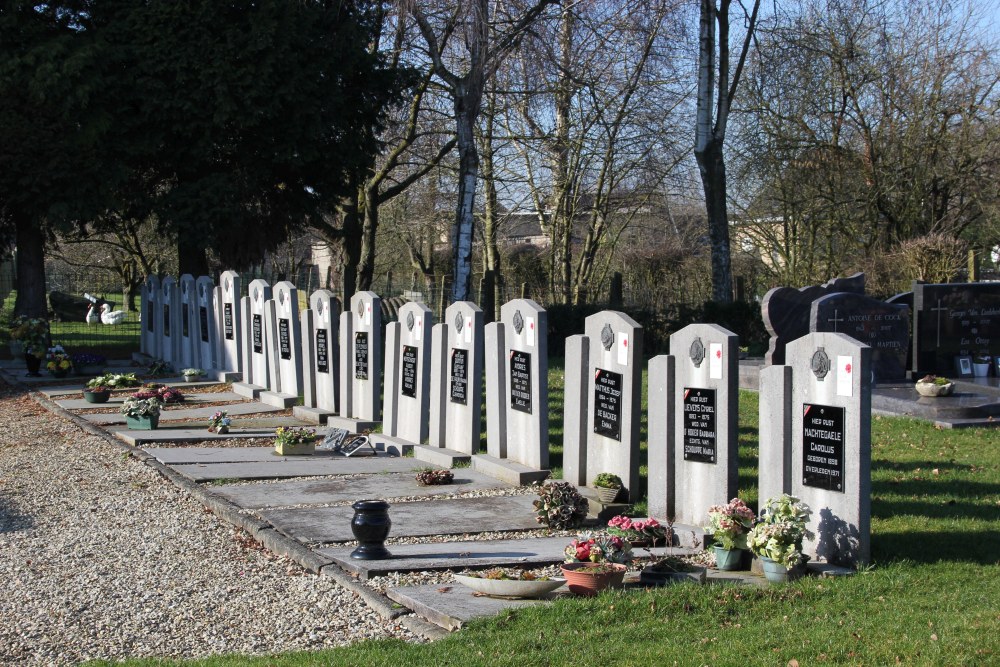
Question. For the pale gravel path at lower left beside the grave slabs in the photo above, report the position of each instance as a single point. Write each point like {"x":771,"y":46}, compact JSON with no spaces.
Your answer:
{"x":100,"y":557}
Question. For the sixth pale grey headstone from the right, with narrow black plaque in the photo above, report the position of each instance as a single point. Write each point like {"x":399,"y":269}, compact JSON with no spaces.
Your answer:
{"x":407,"y":374}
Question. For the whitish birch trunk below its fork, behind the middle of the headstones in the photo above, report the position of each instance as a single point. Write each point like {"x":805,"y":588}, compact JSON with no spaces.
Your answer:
{"x":468,"y":171}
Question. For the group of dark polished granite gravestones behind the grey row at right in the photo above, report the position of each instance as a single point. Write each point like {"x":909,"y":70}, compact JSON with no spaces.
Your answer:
{"x":948,"y":321}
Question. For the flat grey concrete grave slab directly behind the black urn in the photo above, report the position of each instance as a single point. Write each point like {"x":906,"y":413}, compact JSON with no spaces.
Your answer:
{"x":438,"y":517}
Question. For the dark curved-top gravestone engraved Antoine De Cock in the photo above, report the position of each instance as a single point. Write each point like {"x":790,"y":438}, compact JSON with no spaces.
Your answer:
{"x":882,"y":326}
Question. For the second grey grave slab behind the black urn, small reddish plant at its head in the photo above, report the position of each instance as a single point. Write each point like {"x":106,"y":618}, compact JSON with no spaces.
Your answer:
{"x":316,"y":492}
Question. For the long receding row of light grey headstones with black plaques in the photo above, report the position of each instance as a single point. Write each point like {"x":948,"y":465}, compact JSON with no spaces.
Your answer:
{"x":815,"y":411}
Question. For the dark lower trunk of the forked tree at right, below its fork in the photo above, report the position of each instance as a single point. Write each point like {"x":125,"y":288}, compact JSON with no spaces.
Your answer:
{"x":712,"y":168}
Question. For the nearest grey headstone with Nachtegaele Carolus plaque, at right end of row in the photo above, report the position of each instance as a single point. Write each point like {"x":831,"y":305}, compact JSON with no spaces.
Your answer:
{"x":826,"y":460}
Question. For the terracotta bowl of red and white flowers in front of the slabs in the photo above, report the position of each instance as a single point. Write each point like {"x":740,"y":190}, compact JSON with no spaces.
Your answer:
{"x":595,"y":562}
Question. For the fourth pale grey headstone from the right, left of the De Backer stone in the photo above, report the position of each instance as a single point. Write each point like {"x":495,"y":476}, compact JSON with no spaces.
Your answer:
{"x":517,"y":395}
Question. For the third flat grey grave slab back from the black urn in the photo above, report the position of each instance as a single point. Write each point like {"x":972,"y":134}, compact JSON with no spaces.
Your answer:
{"x":285,"y":467}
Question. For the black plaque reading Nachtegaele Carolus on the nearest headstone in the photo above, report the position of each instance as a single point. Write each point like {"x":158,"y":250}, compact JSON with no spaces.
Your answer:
{"x":823,"y":447}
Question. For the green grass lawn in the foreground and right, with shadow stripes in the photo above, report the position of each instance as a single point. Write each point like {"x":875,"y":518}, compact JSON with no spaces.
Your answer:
{"x":931,"y":596}
